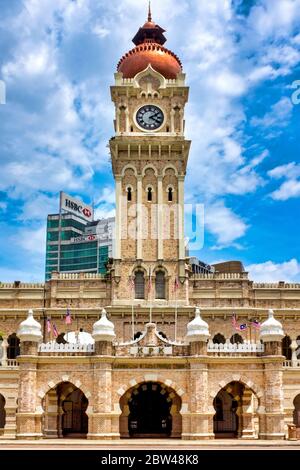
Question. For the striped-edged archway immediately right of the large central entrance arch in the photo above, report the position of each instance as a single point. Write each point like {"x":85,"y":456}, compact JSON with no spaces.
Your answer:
{"x":236,"y":405}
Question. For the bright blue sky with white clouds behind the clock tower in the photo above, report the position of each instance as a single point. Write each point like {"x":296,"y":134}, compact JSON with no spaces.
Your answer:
{"x":242,"y":61}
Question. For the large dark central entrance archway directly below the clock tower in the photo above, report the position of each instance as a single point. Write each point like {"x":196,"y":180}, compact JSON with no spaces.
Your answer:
{"x":150,"y":410}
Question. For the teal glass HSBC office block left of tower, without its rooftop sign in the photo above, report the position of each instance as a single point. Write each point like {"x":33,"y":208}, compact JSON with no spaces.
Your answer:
{"x":76,"y":245}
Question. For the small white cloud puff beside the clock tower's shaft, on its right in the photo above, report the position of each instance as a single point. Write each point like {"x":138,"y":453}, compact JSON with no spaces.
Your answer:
{"x":224,"y":224}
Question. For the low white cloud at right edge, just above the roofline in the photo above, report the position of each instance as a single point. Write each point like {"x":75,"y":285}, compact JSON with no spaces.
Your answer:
{"x":269,"y":271}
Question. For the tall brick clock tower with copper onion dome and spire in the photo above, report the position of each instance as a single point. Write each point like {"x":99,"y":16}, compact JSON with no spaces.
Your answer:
{"x":149,"y":157}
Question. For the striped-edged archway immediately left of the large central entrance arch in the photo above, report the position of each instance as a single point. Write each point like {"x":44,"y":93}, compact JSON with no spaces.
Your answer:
{"x":65,"y":409}
